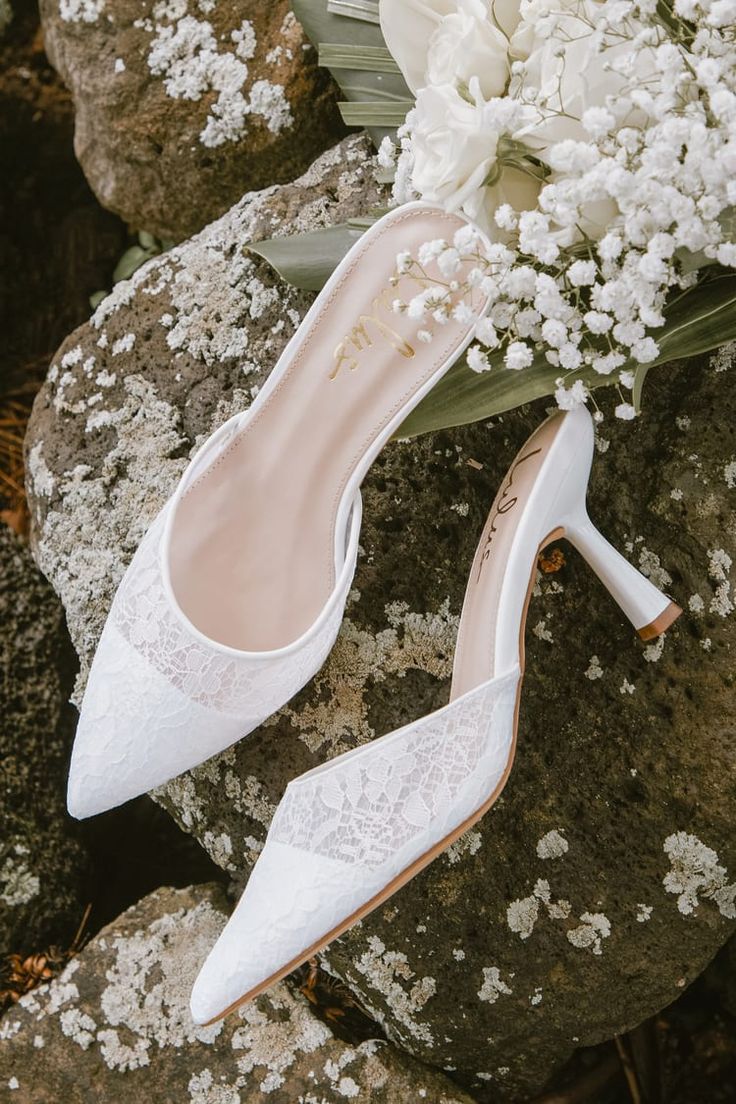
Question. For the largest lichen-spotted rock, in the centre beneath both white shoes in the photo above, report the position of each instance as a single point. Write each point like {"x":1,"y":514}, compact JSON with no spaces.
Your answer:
{"x":603,"y":882}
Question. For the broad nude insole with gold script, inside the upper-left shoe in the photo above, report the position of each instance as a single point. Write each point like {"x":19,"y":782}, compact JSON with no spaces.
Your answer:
{"x":252,"y":549}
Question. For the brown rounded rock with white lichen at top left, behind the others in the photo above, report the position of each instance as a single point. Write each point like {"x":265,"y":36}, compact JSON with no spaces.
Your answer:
{"x":185,"y":105}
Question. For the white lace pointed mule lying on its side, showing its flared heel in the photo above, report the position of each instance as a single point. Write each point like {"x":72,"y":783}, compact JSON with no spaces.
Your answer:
{"x":353,"y":832}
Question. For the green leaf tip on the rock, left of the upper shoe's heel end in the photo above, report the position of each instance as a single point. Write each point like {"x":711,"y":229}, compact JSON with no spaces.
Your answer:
{"x":307,"y":261}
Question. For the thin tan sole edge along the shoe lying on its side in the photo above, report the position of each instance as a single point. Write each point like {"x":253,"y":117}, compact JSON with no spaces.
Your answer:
{"x":424,"y":861}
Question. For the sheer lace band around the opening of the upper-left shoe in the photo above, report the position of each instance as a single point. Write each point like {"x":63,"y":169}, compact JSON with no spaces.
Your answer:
{"x":231,"y":685}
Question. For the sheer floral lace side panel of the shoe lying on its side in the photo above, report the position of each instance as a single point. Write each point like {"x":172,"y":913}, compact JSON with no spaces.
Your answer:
{"x":421,"y":781}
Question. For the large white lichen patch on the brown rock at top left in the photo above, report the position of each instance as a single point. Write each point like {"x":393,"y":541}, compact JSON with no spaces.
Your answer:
{"x":194,"y":62}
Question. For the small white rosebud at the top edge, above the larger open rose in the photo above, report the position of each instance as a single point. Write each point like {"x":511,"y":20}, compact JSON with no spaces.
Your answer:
{"x":470,"y":45}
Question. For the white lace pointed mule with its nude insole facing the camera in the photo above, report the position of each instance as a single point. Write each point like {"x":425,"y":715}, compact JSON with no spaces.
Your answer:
{"x":236,"y":596}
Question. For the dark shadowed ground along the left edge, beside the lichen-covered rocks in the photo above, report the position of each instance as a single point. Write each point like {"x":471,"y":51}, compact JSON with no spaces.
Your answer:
{"x":58,"y":247}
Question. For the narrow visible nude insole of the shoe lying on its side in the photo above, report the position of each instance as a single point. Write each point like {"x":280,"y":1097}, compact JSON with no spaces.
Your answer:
{"x":475,"y":654}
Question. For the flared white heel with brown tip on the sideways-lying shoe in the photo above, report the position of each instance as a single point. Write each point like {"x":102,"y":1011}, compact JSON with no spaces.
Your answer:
{"x":648,"y":609}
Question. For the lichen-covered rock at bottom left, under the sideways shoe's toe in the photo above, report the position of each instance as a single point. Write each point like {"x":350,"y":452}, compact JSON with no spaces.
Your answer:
{"x":115,"y":1026}
